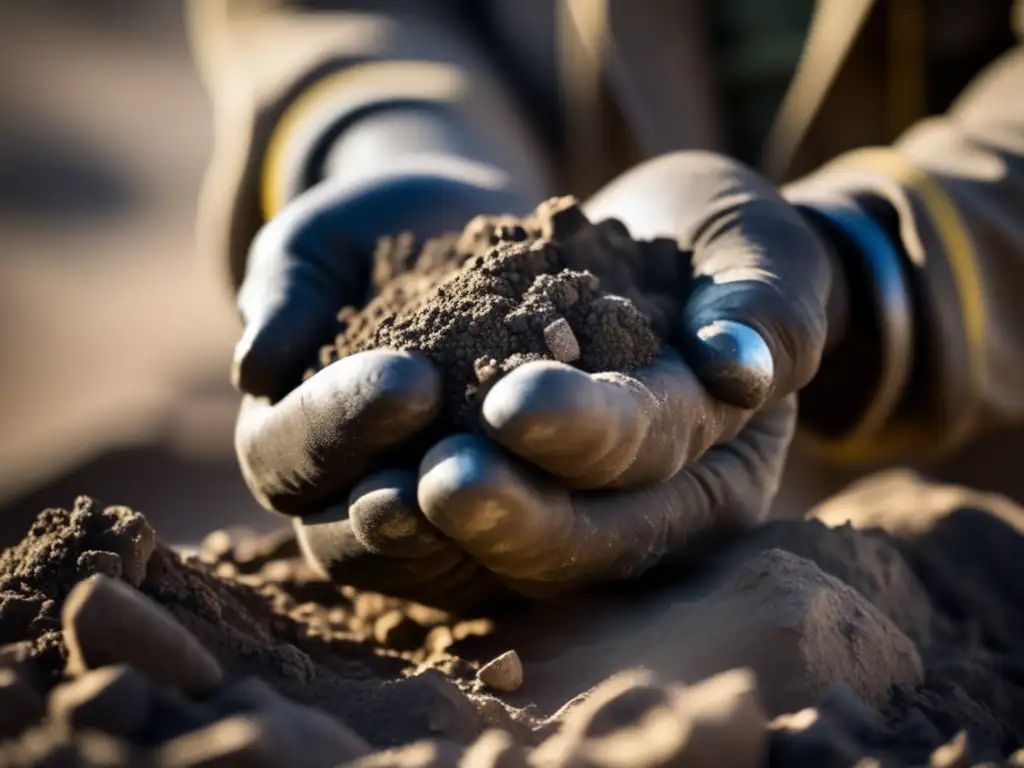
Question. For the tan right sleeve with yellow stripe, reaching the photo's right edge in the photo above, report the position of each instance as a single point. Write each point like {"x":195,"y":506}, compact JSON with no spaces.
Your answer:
{"x":949,"y":197}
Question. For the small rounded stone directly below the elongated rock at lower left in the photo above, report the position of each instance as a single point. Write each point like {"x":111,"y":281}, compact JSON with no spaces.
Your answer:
{"x":113,"y":700}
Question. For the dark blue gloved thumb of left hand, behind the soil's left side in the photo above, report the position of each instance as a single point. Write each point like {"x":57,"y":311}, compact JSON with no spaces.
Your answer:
{"x":314,"y":259}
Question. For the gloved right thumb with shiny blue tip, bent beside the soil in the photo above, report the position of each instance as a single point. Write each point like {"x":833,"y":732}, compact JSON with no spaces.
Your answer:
{"x":755,"y":324}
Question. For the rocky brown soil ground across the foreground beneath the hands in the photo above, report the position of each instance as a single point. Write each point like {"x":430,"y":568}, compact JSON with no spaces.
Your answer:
{"x":889,"y":625}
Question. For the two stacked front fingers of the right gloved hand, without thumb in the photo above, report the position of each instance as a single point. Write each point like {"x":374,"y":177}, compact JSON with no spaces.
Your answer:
{"x":589,"y":479}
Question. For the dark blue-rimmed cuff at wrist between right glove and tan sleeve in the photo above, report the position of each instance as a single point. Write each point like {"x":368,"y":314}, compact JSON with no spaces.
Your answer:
{"x":869,"y":364}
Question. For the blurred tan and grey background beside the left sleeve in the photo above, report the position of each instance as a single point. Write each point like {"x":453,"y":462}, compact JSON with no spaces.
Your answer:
{"x":115,"y":338}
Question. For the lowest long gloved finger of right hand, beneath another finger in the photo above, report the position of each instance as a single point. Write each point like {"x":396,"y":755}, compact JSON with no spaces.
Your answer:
{"x":534,"y":533}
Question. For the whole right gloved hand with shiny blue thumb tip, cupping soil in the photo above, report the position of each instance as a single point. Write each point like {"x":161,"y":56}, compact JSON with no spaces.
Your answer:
{"x":586,"y":479}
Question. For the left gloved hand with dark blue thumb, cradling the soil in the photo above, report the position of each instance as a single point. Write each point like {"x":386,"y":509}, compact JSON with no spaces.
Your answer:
{"x":310,"y":447}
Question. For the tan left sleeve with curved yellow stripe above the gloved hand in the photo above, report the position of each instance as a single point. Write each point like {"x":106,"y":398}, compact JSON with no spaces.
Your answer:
{"x":285,"y":83}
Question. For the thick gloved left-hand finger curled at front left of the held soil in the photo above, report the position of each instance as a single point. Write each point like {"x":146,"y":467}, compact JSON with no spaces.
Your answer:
{"x":323,"y":437}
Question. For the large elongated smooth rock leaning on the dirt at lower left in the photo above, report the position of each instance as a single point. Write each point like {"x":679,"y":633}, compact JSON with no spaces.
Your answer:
{"x":109,"y":623}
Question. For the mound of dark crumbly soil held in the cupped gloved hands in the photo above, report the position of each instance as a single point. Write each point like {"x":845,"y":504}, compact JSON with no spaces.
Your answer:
{"x":482,"y":303}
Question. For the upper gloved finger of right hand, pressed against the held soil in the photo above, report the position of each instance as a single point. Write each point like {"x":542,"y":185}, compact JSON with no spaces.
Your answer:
{"x":609,"y":431}
